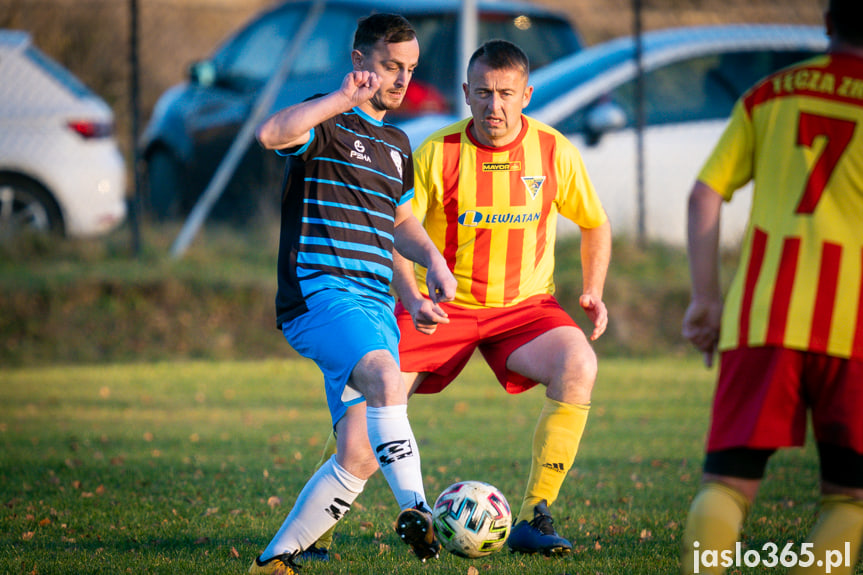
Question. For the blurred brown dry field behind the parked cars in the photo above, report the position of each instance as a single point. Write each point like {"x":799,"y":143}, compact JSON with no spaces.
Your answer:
{"x":91,"y":37}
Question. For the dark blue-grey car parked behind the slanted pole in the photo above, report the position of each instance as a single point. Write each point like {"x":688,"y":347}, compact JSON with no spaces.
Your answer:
{"x":194,"y":123}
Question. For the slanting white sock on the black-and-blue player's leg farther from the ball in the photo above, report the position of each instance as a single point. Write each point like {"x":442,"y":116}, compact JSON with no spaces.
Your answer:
{"x":326,"y":497}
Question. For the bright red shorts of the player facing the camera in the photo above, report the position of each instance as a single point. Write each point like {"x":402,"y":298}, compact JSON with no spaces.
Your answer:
{"x":497,"y":332}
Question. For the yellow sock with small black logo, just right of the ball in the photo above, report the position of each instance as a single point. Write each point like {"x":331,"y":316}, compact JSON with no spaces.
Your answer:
{"x":555,"y":443}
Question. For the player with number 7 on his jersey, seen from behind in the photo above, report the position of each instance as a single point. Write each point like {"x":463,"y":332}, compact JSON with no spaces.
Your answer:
{"x":790,"y":332}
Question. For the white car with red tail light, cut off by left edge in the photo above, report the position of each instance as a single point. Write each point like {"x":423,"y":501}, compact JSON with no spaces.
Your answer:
{"x":61,"y":169}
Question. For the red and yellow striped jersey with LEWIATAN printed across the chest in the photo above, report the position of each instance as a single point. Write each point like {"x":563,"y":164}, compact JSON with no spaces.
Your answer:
{"x":492,"y":212}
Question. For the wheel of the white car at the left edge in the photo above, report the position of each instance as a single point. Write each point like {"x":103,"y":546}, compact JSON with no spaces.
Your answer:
{"x":26,"y":206}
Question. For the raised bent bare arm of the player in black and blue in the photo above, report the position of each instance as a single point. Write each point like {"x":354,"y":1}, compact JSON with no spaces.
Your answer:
{"x":292,"y":126}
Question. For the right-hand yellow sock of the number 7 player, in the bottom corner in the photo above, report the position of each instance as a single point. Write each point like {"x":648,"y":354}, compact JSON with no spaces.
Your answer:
{"x":836,"y":536}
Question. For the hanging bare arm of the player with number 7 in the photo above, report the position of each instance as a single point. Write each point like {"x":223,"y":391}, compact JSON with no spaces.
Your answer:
{"x":702,"y":319}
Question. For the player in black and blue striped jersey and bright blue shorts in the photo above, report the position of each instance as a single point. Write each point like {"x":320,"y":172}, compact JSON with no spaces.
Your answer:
{"x":344,"y":208}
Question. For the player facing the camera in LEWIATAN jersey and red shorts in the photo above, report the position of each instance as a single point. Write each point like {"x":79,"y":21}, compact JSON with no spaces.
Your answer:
{"x":488,"y":191}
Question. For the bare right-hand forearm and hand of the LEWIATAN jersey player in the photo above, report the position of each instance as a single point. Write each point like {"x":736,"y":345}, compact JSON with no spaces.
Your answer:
{"x":595,"y":258}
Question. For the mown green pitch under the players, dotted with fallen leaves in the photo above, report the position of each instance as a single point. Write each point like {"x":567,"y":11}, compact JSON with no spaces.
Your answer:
{"x":190,"y":467}
